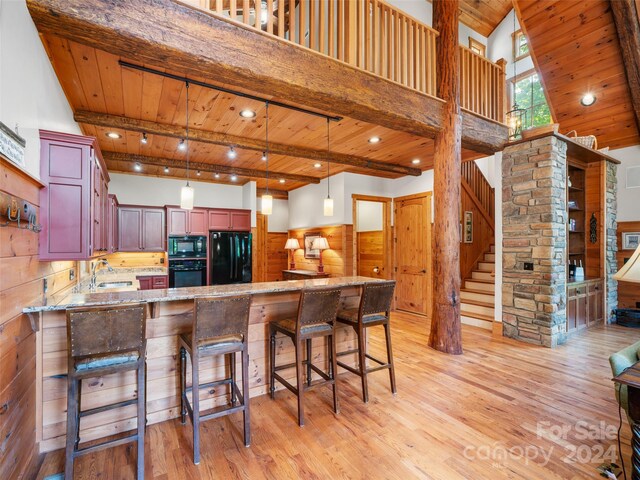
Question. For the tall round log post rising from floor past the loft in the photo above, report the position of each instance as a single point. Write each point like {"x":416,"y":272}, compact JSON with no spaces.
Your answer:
{"x":446,"y":335}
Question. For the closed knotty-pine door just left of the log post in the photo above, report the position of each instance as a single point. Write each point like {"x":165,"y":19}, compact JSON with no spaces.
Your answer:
{"x":412,"y":222}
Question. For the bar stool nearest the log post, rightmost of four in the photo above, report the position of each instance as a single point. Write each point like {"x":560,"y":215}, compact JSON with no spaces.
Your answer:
{"x":374,"y":309}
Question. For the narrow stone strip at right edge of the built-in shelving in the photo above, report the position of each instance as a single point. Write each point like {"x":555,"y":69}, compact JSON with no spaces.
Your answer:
{"x":611,"y":264}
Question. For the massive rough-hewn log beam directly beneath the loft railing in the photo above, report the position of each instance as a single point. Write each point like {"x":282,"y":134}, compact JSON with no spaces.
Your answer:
{"x":186,"y":39}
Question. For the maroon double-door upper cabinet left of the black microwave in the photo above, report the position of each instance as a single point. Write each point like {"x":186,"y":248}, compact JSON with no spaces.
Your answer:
{"x":141,"y":229}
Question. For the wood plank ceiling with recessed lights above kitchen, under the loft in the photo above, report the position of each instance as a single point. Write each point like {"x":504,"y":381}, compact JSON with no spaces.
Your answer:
{"x":94,"y":81}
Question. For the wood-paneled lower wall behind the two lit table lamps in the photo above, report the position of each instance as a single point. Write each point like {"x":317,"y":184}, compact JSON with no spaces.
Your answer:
{"x":338,"y":260}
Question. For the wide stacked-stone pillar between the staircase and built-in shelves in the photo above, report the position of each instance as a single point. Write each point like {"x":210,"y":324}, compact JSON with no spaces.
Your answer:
{"x":534,"y":215}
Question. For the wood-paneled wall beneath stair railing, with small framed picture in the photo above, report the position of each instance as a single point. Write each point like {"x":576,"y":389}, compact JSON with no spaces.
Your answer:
{"x":483,"y":234}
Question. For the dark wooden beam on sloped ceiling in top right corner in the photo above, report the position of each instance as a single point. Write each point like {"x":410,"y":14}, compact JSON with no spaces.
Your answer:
{"x":626,"y":16}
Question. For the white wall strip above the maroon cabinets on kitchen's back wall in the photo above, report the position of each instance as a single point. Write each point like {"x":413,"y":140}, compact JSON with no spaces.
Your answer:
{"x":141,"y":190}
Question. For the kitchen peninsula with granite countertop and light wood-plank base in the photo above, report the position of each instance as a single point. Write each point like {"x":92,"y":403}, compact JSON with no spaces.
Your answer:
{"x":169,"y":315}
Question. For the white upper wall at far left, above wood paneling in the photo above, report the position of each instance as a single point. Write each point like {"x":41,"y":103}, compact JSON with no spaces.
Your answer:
{"x":30,"y":94}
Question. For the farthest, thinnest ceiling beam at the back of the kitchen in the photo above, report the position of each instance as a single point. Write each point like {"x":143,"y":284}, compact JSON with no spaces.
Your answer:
{"x":204,"y":167}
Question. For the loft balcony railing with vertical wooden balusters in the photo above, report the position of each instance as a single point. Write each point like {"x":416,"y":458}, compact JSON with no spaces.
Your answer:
{"x":372,"y":36}
